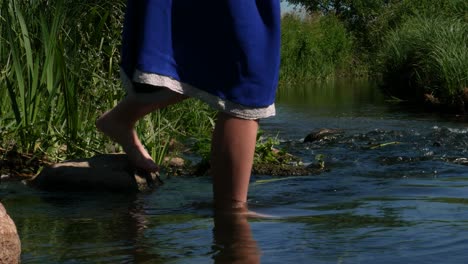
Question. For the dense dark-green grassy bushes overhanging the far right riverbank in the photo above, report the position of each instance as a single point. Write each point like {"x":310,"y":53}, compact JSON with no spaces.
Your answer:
{"x":417,"y":46}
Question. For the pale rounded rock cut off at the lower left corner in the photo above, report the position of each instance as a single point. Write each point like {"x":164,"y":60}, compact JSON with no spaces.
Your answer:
{"x":10,"y":245}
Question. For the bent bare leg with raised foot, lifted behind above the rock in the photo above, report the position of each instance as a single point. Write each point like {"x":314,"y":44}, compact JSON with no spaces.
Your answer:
{"x":119,"y":125}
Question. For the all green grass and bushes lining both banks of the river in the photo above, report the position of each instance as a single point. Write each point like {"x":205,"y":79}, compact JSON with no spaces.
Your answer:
{"x":59,"y":71}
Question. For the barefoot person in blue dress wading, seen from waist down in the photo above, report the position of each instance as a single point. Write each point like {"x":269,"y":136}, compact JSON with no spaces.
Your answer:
{"x":223,"y":52}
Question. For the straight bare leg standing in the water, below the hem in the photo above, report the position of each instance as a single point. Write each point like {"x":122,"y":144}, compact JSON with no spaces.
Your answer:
{"x":233,"y":148}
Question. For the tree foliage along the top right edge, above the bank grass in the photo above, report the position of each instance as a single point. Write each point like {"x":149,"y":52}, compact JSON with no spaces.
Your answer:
{"x":370,"y":20}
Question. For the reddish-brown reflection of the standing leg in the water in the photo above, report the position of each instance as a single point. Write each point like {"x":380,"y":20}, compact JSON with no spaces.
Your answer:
{"x":233,"y":240}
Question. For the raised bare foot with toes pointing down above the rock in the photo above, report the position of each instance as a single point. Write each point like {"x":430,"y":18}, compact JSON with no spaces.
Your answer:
{"x":125,"y":135}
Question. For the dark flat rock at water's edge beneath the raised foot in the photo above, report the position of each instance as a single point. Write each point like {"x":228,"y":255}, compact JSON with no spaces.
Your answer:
{"x":107,"y":172}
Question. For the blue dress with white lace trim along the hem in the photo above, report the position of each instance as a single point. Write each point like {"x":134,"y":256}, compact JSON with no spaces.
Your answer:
{"x":224,"y":50}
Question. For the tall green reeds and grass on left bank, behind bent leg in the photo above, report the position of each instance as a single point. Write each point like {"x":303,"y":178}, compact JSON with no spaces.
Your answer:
{"x":59,"y":72}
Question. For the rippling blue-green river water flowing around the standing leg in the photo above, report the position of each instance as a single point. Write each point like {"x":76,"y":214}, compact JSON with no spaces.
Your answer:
{"x":396,"y":191}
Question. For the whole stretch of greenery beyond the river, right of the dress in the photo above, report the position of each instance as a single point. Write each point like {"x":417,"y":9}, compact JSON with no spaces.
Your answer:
{"x":417,"y":48}
